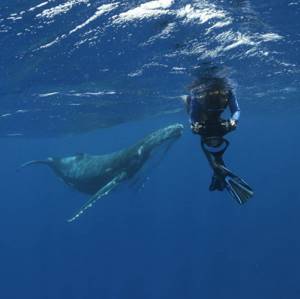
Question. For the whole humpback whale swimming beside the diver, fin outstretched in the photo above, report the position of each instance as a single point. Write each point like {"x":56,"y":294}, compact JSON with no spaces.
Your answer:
{"x":97,"y":175}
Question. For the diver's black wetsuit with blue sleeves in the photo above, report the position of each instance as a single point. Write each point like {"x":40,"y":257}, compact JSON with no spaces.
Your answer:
{"x":205,"y":112}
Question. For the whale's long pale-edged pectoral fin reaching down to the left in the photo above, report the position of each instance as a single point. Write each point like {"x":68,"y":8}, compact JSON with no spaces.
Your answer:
{"x":102,"y":192}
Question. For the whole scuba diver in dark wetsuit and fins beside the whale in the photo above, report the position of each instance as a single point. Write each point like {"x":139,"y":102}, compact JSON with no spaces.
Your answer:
{"x":208,"y":100}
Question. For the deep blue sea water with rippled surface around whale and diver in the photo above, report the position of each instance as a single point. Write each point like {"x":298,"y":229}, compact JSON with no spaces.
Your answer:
{"x":101,"y":88}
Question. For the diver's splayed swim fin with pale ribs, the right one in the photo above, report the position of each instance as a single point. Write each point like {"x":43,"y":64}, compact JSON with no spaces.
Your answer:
{"x":236,"y":186}
